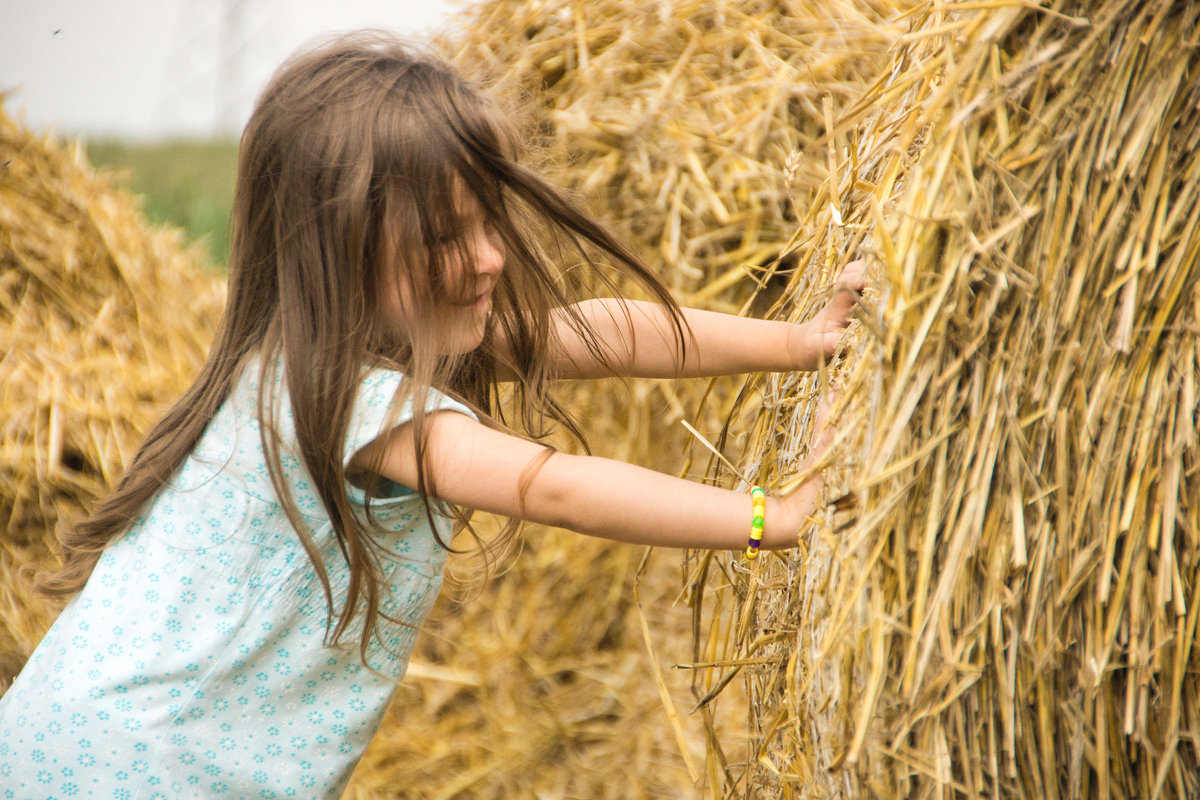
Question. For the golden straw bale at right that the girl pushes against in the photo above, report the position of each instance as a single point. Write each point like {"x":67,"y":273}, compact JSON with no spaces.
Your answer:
{"x":1011,"y":610}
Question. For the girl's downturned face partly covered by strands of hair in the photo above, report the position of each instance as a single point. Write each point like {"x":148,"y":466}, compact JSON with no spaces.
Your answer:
{"x":472,"y":256}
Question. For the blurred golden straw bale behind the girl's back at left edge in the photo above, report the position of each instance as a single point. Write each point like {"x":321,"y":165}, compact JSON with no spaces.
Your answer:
{"x":103,"y":322}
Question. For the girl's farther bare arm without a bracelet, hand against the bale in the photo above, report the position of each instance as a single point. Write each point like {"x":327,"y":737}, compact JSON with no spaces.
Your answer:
{"x":640,"y":339}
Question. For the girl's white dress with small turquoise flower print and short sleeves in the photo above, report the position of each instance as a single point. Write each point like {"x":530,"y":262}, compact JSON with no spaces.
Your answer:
{"x":193,"y":664}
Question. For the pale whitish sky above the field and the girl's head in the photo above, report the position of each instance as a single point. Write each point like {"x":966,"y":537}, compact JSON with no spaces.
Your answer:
{"x":152,"y":69}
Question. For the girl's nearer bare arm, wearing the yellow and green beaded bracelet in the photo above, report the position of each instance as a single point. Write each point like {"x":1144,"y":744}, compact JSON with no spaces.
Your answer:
{"x":482,"y":468}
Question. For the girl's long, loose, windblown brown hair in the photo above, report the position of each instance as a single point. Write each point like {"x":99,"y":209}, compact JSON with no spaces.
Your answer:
{"x":349,"y":171}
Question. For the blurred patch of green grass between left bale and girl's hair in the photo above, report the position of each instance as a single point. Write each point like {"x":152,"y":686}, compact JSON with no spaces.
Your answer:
{"x":188,"y":184}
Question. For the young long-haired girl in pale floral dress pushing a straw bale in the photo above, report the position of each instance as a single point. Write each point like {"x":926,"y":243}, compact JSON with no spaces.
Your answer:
{"x":249,"y":596}
